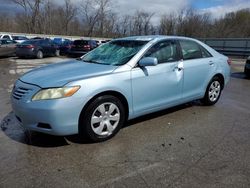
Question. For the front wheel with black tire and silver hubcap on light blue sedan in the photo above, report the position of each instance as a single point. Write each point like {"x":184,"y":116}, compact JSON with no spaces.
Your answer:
{"x":102,"y":119}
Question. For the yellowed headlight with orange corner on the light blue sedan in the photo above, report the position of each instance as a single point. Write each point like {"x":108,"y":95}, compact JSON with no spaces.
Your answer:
{"x":55,"y":93}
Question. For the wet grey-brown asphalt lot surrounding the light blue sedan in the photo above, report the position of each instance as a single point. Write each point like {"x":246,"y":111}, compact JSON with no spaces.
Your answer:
{"x":186,"y":146}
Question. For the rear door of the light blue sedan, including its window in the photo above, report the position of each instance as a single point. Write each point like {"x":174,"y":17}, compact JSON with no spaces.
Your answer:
{"x":198,"y":68}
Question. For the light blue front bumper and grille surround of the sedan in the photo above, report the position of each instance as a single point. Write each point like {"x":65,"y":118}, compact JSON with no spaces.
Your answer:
{"x":61,"y":115}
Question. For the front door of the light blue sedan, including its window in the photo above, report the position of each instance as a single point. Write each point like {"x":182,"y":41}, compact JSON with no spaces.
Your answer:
{"x":156,"y":87}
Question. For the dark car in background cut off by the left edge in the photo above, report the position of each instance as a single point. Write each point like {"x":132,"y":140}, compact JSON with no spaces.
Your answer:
{"x":7,"y":47}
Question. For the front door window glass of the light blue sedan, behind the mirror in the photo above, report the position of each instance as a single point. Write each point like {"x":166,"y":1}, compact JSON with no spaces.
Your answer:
{"x":165,"y":51}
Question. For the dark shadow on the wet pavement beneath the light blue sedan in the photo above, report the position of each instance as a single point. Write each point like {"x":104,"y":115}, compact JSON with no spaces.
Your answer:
{"x":14,"y":131}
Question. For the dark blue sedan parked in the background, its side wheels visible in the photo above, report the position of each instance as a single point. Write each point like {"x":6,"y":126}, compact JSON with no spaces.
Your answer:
{"x":37,"y":48}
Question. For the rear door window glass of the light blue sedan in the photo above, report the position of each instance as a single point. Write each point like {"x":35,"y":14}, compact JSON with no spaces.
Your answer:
{"x":190,"y":50}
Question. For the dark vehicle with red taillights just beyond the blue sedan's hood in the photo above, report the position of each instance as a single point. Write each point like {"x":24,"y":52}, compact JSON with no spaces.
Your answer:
{"x":81,"y":47}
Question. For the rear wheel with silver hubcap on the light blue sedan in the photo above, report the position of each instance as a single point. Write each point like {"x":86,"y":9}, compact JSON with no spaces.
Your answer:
{"x":213,"y":92}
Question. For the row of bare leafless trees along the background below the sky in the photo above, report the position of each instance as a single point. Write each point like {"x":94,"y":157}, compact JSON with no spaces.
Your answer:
{"x":97,"y":18}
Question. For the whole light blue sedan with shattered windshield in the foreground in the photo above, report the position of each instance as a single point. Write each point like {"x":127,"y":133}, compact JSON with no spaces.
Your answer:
{"x":120,"y":80}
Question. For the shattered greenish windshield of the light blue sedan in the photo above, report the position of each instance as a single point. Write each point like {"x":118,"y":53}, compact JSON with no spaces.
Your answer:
{"x":114,"y":53}
